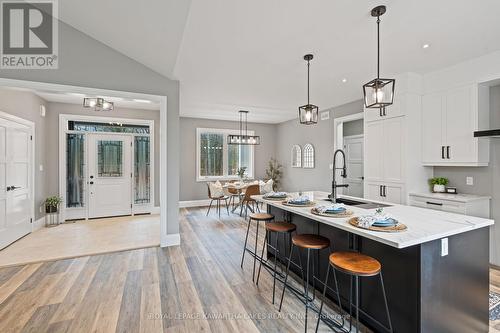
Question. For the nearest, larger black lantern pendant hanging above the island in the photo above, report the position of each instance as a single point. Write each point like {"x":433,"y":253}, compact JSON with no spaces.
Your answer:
{"x":379,"y":93}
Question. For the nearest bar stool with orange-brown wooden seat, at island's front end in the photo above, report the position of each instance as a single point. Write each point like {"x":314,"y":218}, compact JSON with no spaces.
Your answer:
{"x":356,"y":265}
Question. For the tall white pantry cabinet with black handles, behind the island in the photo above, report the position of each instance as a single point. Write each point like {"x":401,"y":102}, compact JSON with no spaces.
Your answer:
{"x":393,"y":162}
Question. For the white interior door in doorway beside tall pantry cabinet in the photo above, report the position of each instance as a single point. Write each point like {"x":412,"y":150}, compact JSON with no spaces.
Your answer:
{"x":353,"y":148}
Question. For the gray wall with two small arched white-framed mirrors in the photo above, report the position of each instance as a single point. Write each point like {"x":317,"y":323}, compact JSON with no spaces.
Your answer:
{"x":321,"y":137}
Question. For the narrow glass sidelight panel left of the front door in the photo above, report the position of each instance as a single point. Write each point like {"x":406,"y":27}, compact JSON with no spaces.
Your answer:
{"x":75,"y":166}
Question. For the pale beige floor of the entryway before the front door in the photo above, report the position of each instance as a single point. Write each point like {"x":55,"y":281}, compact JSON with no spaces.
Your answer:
{"x":84,"y":238}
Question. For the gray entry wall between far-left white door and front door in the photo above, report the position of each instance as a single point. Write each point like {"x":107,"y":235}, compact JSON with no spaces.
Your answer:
{"x":26,"y":105}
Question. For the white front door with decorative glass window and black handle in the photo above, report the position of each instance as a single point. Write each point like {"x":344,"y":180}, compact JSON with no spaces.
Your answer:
{"x":110,"y":175}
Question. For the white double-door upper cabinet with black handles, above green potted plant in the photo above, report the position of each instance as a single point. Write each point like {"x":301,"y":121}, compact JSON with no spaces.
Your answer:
{"x":449,"y":119}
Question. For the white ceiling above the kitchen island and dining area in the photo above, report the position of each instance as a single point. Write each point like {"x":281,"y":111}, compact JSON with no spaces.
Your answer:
{"x":237,"y":54}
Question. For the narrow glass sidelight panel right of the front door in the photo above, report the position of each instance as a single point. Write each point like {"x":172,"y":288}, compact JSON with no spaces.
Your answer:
{"x":142,"y":169}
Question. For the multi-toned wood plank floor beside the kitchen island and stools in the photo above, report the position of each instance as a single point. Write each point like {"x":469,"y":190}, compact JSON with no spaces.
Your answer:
{"x":198,"y":286}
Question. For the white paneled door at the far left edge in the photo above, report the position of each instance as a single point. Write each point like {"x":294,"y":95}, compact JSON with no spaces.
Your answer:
{"x":16,"y":199}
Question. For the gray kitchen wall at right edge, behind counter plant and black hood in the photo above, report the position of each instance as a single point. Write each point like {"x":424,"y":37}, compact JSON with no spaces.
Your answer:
{"x":486,"y":179}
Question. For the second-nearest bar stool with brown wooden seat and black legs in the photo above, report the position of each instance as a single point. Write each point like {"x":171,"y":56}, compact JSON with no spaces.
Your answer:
{"x":308,"y":242}
